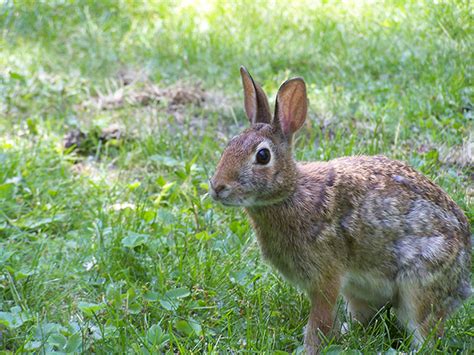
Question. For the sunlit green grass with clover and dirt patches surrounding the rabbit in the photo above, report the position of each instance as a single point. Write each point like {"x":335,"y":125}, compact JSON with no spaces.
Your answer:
{"x":114,"y":246}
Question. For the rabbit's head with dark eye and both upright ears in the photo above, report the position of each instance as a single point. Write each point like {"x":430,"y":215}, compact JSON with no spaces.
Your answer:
{"x":257,"y":167}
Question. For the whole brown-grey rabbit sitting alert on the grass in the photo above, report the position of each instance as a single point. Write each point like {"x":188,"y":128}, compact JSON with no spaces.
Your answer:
{"x":369,"y":228}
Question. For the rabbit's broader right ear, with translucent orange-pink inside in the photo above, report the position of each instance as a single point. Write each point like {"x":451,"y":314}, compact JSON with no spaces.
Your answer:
{"x":291,"y":106}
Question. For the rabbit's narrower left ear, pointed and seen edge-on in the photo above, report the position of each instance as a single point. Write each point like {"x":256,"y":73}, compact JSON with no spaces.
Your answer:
{"x":256,"y":102}
